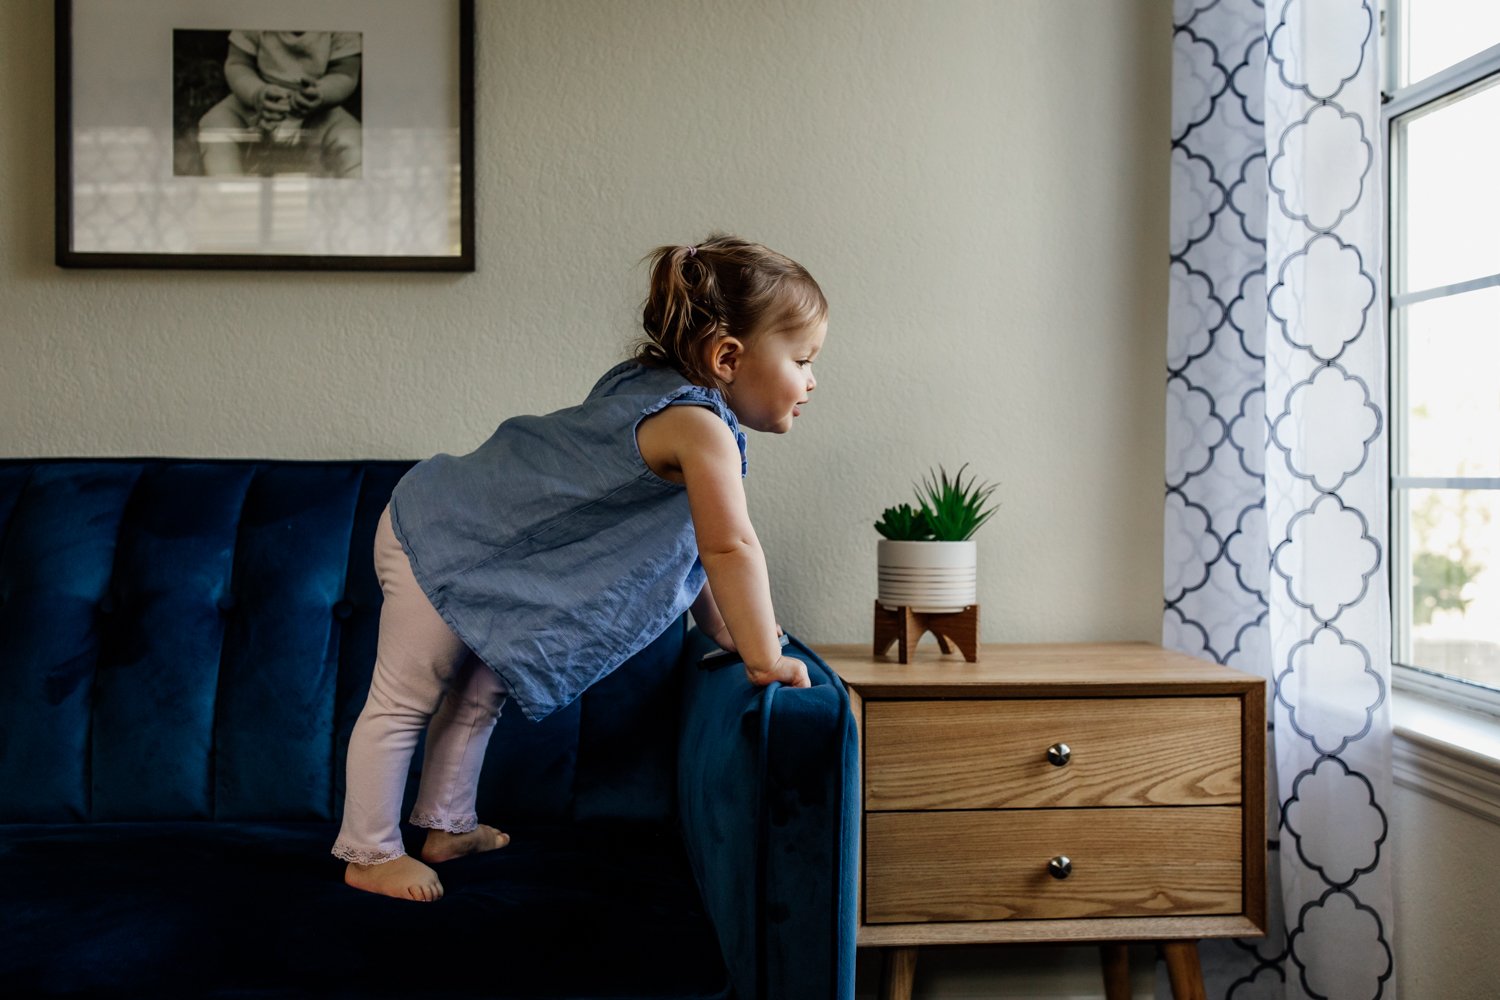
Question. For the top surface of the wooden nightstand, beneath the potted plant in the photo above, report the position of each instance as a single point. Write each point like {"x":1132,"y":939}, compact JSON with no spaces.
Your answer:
{"x":1040,"y":669}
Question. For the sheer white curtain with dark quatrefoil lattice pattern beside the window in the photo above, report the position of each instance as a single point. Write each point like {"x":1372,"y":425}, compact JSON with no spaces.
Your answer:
{"x":1276,"y":513}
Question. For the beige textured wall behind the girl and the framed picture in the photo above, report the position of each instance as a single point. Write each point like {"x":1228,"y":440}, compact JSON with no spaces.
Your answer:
{"x":979,"y":185}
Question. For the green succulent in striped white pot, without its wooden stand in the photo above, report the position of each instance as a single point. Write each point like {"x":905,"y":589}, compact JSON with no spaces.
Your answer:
{"x":928,"y":560}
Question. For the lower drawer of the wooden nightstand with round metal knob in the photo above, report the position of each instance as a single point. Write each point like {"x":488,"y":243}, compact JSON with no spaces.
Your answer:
{"x":994,"y":866}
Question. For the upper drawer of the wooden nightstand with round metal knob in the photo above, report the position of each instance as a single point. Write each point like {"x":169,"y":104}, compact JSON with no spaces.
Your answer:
{"x":992,"y":753}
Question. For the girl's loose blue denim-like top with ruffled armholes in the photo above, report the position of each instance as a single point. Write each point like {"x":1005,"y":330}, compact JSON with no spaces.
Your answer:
{"x":551,"y":549}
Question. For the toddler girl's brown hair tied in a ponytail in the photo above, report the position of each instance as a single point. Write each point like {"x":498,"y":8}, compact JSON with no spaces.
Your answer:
{"x":724,"y":286}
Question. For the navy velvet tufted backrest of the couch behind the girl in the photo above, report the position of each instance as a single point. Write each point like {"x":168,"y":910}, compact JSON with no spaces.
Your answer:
{"x":194,"y":641}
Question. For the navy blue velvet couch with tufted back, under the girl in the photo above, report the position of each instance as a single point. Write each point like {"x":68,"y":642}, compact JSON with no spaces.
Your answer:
{"x":184,"y":651}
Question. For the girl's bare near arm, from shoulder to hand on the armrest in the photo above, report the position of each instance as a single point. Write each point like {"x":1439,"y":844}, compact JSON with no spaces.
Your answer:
{"x":706,"y":454}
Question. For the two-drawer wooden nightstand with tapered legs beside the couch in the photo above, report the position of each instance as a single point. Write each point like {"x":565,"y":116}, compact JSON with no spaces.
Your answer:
{"x":1058,"y":794}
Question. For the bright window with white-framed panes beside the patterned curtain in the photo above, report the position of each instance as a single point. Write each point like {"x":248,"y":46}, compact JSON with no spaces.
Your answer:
{"x":1442,"y":119}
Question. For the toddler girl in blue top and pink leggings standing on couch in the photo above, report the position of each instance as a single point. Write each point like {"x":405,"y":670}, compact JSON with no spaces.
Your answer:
{"x":562,"y":546}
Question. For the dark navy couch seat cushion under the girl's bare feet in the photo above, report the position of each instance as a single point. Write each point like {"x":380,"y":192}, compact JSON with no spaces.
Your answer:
{"x":260,"y":909}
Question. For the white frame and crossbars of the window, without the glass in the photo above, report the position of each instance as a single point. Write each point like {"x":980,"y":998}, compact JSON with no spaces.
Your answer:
{"x":1442,"y":88}
